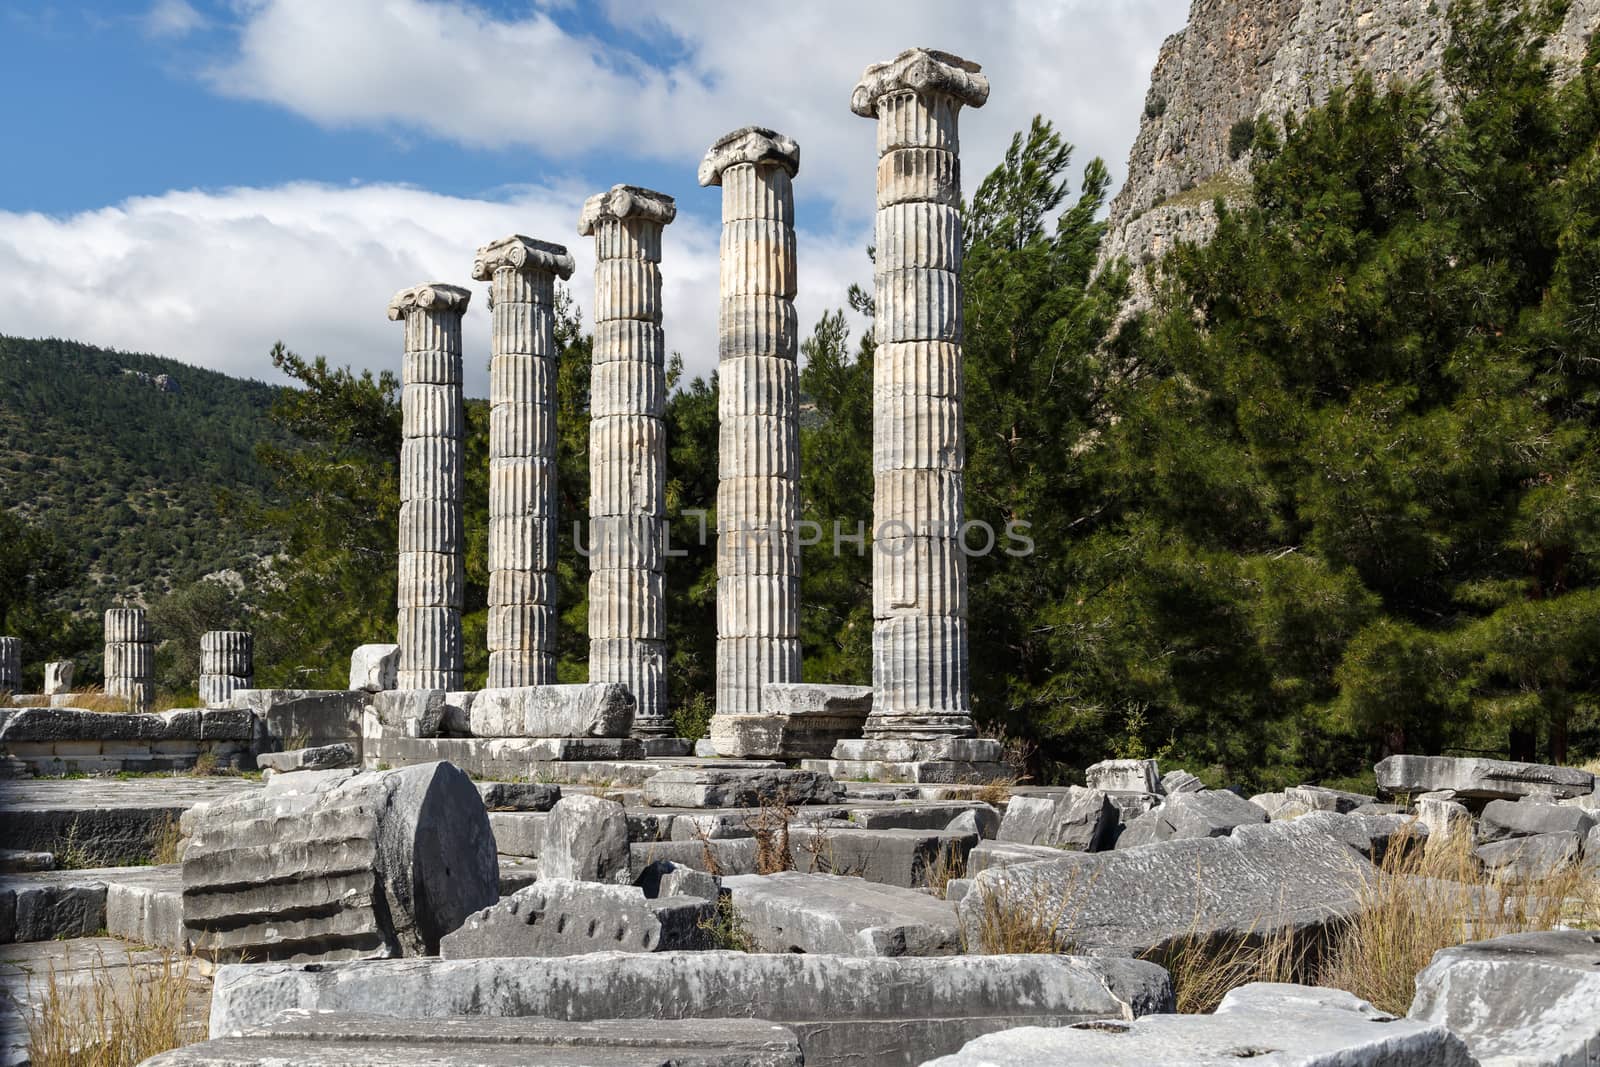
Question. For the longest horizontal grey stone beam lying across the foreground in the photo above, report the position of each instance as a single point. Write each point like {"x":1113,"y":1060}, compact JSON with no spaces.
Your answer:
{"x":844,"y":1010}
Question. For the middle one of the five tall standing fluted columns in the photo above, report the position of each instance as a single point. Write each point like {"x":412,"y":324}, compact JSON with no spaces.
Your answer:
{"x":628,"y":457}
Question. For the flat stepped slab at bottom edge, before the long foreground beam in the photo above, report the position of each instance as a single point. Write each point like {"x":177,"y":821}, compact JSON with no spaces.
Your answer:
{"x":316,"y":1039}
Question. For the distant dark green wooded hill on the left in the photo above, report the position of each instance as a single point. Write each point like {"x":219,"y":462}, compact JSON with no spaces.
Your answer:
{"x":124,"y":457}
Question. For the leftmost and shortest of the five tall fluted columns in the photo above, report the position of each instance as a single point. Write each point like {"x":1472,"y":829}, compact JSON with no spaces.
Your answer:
{"x":431,"y":486}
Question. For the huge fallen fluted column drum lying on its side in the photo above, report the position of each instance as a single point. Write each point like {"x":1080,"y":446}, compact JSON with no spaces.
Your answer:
{"x":338,"y":865}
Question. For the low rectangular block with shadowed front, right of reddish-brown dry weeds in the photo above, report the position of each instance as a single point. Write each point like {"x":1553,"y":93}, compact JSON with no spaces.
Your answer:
{"x":895,"y":858}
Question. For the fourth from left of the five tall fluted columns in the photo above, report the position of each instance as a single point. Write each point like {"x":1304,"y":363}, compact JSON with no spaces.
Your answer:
{"x":759,"y":415}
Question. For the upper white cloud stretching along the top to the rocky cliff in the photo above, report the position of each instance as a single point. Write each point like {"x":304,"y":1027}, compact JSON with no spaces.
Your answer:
{"x":454,"y":71}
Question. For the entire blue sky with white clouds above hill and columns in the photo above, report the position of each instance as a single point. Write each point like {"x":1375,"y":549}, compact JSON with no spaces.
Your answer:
{"x":201,"y":180}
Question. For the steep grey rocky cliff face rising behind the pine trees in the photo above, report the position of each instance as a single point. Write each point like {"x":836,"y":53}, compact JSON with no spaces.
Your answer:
{"x":1246,"y":58}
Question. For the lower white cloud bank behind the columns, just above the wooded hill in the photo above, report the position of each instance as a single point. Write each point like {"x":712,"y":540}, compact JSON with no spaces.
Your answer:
{"x":215,"y":278}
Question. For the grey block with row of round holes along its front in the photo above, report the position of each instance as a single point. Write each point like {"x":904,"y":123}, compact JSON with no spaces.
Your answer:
{"x":561,"y":919}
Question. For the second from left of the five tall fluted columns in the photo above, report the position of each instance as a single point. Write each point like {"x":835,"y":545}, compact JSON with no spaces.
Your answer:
{"x":522,"y":457}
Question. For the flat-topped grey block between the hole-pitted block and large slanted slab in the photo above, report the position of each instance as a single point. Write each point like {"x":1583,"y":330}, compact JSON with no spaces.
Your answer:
{"x":826,"y":914}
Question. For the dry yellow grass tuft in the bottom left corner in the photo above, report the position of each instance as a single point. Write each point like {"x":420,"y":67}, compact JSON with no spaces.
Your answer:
{"x":113,"y":1023}
